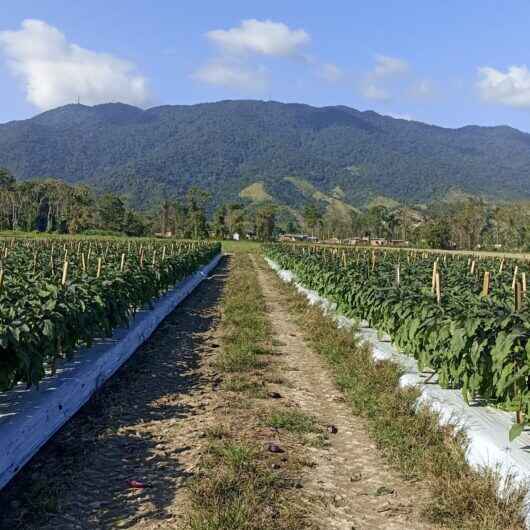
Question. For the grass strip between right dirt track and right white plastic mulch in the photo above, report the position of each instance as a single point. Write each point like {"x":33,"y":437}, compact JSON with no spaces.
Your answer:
{"x":461,"y":498}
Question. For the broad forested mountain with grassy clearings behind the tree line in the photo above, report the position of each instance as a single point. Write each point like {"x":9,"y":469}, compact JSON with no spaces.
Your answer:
{"x":256,"y":150}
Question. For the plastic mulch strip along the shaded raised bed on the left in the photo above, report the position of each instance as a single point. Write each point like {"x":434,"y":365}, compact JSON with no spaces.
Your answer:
{"x":30,"y":417}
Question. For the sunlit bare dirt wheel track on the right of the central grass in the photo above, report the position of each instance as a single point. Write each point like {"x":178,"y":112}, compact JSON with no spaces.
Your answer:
{"x":356,"y":488}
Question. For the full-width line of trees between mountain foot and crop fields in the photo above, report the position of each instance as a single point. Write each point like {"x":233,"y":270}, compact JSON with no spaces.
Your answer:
{"x":50,"y":205}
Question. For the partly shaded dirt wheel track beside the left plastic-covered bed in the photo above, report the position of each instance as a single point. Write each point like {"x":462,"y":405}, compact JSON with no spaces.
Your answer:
{"x":144,"y":425}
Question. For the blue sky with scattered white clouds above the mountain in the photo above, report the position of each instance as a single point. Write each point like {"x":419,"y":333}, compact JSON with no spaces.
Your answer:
{"x":450,"y":63}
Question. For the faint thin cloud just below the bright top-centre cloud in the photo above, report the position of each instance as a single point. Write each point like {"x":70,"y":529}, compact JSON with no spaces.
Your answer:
{"x":232,"y":75}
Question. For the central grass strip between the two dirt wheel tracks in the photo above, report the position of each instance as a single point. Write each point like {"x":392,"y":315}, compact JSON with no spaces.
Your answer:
{"x":236,"y":486}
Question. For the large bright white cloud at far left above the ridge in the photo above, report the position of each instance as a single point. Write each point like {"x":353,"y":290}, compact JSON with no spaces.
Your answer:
{"x":55,"y":72}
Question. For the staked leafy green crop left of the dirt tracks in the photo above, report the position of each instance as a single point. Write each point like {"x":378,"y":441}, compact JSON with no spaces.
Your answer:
{"x":58,"y":295}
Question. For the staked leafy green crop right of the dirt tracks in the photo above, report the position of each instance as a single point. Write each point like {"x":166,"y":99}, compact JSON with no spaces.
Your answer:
{"x":465,"y":318}
